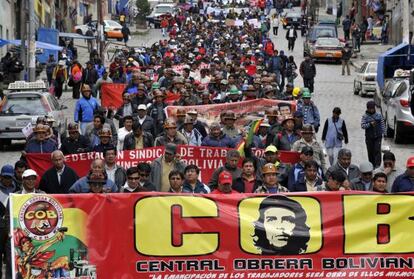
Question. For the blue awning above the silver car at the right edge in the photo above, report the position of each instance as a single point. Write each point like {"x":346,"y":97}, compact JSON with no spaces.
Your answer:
{"x":399,"y":57}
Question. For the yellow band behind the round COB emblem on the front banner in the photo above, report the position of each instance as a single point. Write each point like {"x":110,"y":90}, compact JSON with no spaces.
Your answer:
{"x":74,"y":219}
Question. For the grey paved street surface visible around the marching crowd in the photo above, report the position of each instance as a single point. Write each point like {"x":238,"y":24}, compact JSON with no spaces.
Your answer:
{"x":331,"y":89}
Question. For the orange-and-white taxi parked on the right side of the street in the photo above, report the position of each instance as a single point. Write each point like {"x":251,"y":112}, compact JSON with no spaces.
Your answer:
{"x":329,"y":49}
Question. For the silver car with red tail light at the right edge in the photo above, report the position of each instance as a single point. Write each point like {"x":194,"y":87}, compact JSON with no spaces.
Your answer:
{"x":397,"y":108}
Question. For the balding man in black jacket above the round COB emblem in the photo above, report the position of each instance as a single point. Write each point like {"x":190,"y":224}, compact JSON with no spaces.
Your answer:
{"x":60,"y":177}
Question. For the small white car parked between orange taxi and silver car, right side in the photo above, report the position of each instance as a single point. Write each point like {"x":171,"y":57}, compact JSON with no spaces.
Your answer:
{"x":366,"y":79}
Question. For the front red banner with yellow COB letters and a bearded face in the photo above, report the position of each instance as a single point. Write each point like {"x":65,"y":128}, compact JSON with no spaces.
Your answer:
{"x":303,"y":235}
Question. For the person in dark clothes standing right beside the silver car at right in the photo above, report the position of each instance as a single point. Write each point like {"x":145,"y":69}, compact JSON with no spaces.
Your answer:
{"x":374,"y":126}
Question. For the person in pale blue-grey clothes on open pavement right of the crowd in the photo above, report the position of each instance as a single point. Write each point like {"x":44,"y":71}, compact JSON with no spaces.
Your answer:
{"x":334,"y":134}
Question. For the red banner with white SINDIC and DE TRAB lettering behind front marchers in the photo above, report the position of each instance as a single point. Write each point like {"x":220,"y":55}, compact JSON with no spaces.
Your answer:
{"x":206,"y":158}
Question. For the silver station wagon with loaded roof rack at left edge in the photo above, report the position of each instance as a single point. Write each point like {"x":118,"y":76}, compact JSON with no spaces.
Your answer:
{"x":24,"y":106}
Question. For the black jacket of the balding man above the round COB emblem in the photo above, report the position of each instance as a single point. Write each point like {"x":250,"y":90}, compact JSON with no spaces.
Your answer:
{"x":50,"y":183}
